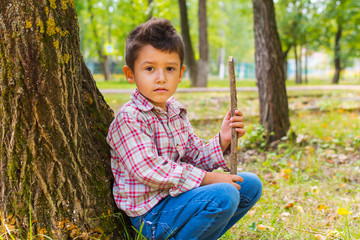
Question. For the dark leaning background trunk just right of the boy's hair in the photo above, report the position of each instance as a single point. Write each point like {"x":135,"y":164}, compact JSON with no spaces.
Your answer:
{"x":190,"y":61}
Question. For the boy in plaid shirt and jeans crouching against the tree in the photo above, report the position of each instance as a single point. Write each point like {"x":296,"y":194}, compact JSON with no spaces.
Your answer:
{"x":163,"y":178}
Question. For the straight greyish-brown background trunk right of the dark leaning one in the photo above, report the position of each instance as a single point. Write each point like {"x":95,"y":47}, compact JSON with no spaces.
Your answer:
{"x":203,"y":46}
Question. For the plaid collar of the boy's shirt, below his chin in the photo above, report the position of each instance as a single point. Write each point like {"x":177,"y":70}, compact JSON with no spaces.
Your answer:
{"x":174,"y":107}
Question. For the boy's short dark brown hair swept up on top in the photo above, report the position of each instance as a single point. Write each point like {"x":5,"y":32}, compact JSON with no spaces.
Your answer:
{"x":159,"y":33}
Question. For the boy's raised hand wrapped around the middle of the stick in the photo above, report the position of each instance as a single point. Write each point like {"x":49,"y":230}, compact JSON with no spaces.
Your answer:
{"x":229,"y":122}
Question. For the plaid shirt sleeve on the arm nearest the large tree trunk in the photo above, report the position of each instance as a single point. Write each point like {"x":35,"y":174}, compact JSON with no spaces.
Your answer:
{"x":131,"y":139}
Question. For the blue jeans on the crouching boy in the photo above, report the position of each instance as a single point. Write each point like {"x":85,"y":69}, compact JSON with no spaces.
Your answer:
{"x":206,"y":212}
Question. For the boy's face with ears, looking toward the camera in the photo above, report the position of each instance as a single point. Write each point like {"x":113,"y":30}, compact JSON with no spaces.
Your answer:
{"x":156,"y":74}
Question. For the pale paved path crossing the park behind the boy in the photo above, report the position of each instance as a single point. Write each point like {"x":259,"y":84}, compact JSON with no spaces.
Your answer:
{"x":245,"y":89}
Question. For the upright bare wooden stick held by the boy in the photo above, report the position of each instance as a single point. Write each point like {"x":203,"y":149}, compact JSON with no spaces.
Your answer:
{"x":233,"y":100}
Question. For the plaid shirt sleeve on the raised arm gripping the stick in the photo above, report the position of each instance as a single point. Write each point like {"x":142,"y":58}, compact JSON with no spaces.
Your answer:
{"x":205,"y":156}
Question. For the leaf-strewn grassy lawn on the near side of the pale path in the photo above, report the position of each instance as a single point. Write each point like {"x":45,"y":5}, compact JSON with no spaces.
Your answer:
{"x":311,"y":181}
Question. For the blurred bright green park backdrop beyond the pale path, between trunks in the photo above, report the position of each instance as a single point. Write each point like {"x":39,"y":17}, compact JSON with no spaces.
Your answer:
{"x":318,"y":37}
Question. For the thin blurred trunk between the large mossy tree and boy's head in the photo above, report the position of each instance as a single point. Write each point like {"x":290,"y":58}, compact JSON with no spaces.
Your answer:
{"x":99,"y":46}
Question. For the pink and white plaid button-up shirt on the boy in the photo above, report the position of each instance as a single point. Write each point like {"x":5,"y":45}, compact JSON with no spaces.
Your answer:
{"x":155,"y":154}
